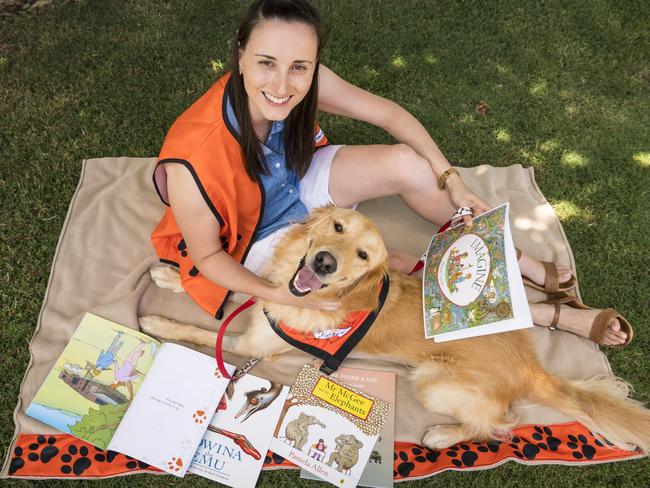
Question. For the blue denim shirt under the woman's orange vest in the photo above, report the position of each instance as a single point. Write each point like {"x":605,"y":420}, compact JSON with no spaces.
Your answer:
{"x":282,"y":205}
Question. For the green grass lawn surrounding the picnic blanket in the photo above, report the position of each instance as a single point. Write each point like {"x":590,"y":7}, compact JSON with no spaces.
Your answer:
{"x":568,"y":84}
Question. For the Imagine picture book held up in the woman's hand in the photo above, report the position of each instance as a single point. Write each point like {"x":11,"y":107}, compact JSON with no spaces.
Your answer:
{"x":472,"y":285}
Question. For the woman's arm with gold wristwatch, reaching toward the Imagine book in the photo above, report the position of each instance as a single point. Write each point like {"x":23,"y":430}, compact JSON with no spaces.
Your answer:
{"x":339,"y":97}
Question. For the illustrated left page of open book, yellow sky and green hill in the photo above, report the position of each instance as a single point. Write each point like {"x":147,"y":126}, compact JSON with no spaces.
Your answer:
{"x":94,"y":380}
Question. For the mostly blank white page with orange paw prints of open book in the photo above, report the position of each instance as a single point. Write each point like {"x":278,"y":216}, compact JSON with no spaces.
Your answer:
{"x":170,"y":414}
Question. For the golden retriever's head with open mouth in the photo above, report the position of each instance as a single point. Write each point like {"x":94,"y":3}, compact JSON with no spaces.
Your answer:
{"x":336,"y":252}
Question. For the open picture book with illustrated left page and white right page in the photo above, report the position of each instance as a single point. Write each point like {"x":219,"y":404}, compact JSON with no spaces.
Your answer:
{"x":121,"y":390}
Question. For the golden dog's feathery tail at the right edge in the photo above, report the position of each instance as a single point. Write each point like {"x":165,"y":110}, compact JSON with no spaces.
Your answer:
{"x":600,"y":403}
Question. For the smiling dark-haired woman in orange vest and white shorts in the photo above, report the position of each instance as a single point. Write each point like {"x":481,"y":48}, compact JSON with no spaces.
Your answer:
{"x":247,"y":159}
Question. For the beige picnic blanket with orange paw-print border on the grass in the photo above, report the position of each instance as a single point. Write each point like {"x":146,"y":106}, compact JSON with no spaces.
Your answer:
{"x":101,"y":266}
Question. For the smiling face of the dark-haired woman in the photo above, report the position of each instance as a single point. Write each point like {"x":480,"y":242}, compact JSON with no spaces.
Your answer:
{"x":277,"y":65}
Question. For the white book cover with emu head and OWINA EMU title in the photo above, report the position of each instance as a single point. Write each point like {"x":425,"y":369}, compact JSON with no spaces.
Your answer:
{"x":232,"y":450}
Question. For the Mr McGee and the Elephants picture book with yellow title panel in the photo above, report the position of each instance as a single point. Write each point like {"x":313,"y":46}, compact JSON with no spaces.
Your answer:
{"x":328,"y":427}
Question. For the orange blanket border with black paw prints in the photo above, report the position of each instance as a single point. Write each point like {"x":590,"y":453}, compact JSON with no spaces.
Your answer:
{"x":65,"y":456}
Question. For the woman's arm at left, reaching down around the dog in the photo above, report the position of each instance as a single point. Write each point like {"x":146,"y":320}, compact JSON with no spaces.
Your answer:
{"x":201,"y":233}
